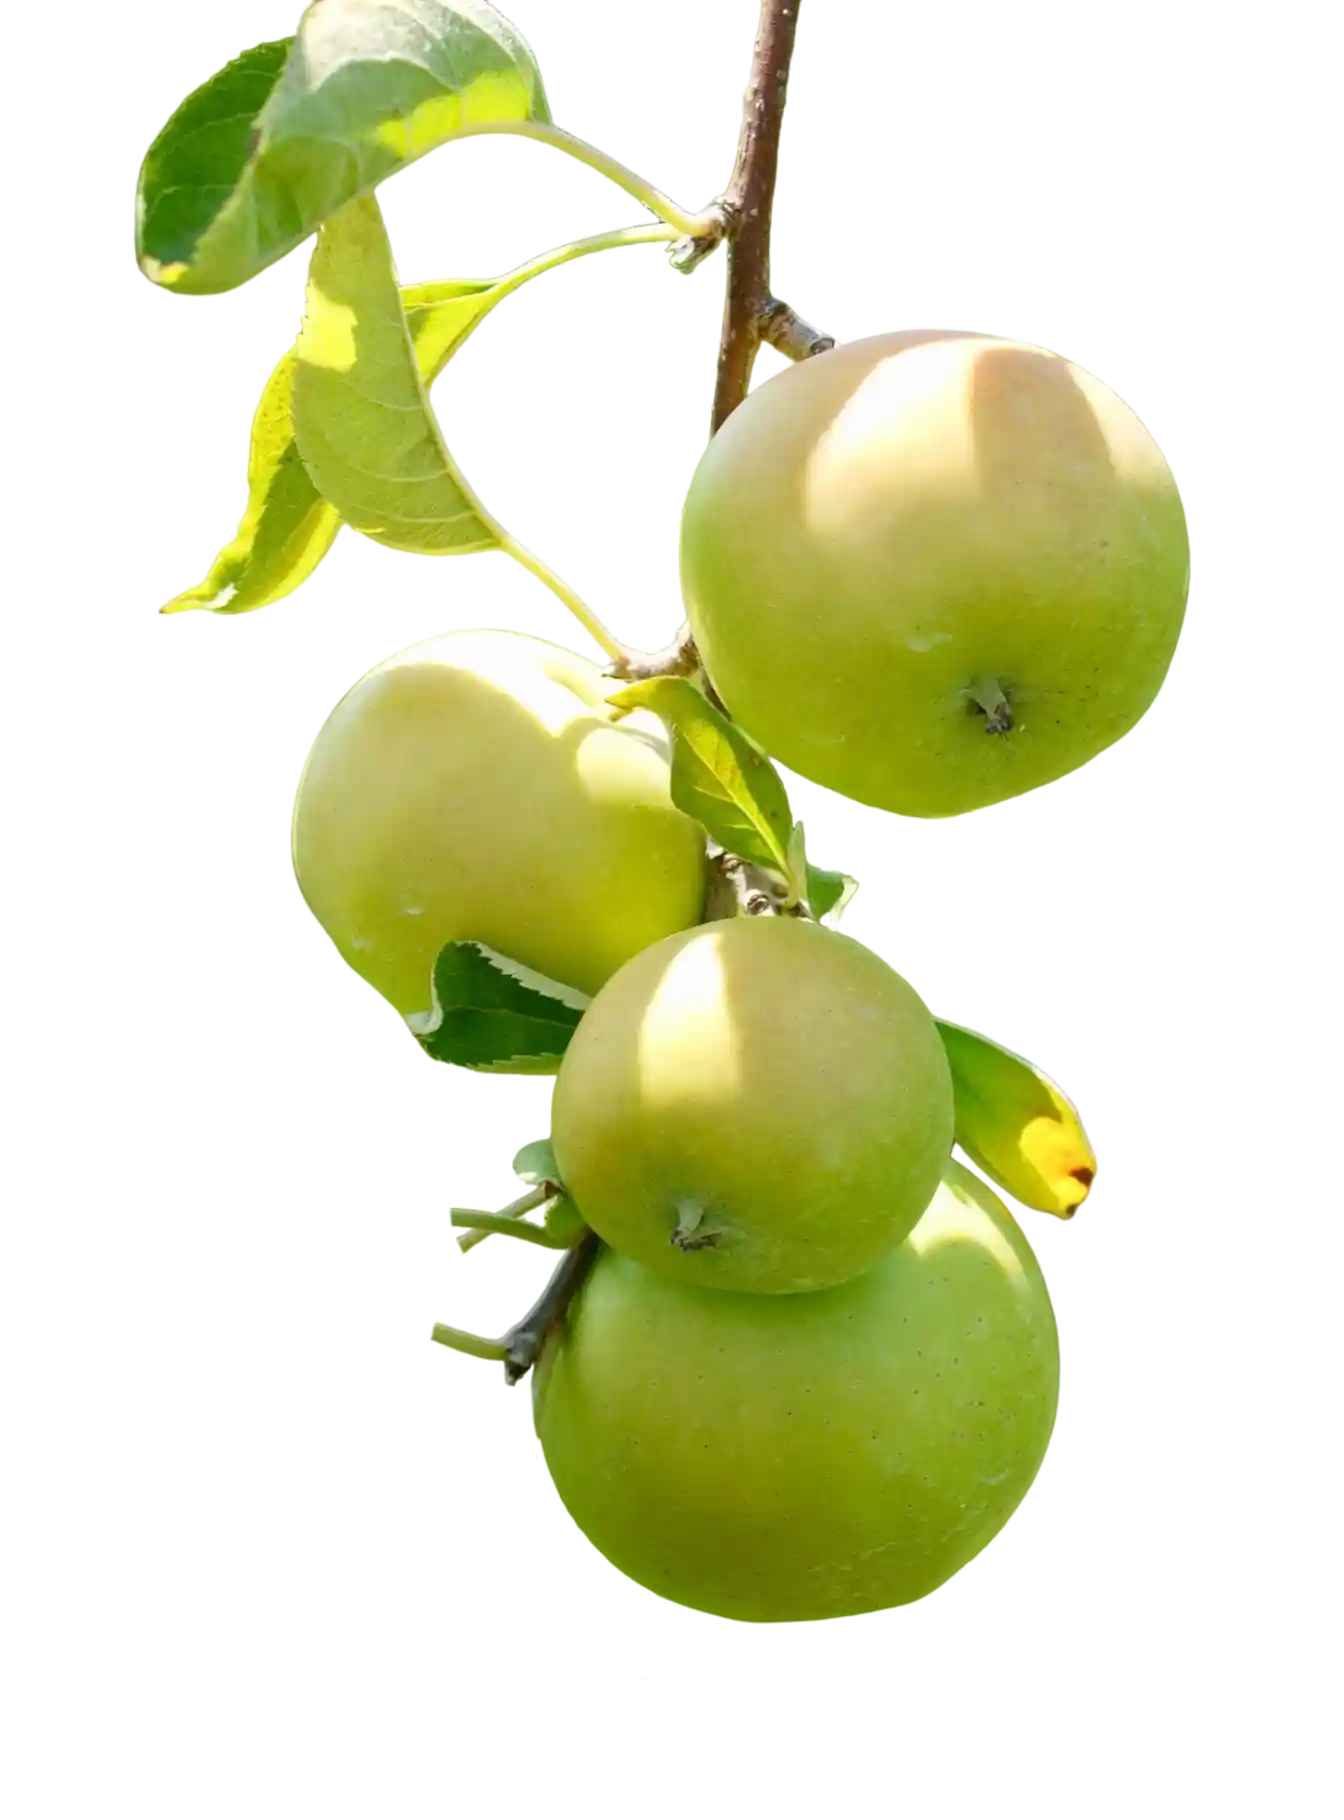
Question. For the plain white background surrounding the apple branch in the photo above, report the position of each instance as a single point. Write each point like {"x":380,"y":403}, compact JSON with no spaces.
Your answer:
{"x":265,"y":1553}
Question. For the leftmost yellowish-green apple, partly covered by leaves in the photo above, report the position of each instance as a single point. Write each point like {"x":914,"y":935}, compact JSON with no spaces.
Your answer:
{"x":474,"y":789}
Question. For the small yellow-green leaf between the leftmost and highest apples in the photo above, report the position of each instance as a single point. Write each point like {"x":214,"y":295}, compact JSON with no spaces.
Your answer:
{"x":718,"y":776}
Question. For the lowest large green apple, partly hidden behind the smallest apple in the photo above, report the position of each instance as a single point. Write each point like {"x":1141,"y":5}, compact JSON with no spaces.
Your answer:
{"x":808,"y":1459}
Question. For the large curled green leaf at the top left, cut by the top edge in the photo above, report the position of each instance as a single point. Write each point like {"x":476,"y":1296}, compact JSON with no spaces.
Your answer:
{"x":283,"y":134}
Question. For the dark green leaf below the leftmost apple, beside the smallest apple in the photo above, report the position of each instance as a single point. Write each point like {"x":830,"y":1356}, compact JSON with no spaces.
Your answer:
{"x":491,"y":1018}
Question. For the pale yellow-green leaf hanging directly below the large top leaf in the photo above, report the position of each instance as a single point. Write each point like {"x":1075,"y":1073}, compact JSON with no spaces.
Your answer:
{"x":361,"y":416}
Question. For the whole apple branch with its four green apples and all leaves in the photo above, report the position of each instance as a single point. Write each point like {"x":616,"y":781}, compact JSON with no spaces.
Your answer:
{"x":797,"y":1359}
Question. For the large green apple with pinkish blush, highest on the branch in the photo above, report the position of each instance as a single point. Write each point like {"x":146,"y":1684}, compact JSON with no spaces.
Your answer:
{"x":937,"y":572}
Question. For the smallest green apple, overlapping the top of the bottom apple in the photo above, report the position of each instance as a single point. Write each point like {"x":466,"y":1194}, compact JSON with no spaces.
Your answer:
{"x":755,"y":1106}
